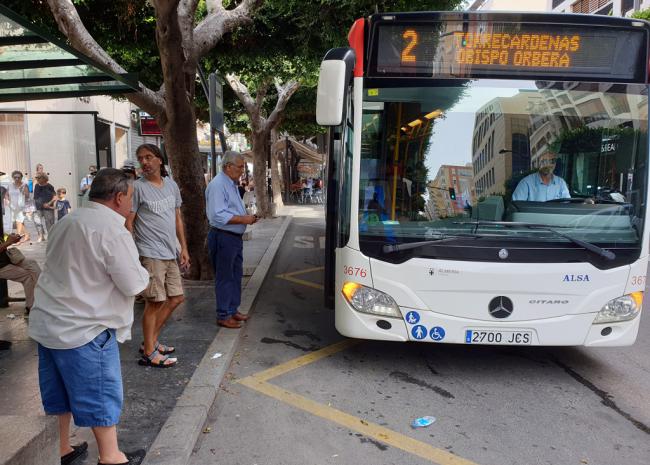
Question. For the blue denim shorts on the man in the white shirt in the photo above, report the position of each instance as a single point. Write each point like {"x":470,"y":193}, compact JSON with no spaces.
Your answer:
{"x":86,"y":381}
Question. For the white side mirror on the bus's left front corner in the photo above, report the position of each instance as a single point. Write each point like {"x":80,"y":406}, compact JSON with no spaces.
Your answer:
{"x":334,"y":77}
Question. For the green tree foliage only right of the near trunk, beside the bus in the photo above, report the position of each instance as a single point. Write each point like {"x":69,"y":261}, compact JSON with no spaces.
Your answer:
{"x":288,"y":39}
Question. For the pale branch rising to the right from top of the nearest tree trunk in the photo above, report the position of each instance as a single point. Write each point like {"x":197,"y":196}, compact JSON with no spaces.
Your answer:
{"x":219,"y":22}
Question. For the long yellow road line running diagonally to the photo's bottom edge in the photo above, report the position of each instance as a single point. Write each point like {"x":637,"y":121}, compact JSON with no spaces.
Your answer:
{"x":366,"y":428}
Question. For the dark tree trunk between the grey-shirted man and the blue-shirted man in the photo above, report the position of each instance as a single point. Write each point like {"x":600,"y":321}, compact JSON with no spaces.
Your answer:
{"x":182,"y":149}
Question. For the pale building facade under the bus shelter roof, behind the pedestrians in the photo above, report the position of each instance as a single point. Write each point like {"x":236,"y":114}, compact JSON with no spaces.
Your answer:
{"x":66,"y":136}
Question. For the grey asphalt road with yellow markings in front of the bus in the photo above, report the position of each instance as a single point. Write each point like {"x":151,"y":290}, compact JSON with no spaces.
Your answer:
{"x":493,"y":405}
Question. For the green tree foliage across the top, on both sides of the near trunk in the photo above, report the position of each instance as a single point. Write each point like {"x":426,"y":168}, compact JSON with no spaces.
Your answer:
{"x":287,"y":39}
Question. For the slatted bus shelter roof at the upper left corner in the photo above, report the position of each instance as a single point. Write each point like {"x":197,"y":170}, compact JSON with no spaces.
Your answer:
{"x":35,"y":65}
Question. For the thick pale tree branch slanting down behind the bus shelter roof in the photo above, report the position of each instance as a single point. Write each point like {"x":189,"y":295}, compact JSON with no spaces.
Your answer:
{"x":70,"y":24}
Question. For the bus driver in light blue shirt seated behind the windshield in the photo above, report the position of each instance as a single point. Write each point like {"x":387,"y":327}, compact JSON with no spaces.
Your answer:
{"x":543,"y":185}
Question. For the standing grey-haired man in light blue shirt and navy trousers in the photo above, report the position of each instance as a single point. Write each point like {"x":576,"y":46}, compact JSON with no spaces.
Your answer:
{"x":228,"y":220}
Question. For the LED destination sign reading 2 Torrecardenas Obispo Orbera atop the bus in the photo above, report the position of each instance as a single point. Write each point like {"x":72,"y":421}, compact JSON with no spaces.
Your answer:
{"x":513,"y":50}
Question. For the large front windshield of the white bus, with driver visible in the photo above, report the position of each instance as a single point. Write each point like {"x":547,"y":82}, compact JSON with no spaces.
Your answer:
{"x":490,"y":158}
